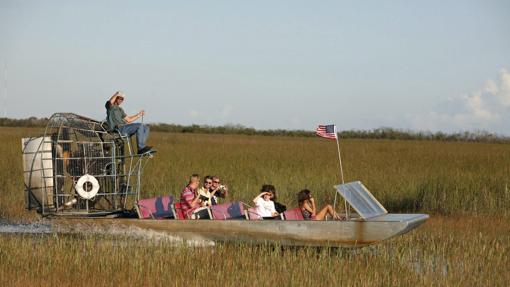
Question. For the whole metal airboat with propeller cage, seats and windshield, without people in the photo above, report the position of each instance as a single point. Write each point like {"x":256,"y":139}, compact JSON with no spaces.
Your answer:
{"x":80,"y":174}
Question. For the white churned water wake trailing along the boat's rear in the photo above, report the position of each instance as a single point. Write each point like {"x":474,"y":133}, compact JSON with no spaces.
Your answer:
{"x":147,"y":235}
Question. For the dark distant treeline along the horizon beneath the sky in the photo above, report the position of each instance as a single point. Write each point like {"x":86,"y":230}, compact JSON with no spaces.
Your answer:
{"x":379,"y":133}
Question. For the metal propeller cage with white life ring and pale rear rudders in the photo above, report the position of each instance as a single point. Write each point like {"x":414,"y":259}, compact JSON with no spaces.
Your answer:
{"x":78,"y":168}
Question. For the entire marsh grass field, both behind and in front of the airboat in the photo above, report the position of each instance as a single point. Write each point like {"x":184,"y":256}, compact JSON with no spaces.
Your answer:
{"x":463,"y":185}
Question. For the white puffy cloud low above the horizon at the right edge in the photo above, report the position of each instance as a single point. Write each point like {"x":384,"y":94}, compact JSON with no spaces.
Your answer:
{"x":487,"y":108}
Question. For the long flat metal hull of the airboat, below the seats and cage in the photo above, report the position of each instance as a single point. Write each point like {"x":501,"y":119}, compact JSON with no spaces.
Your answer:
{"x":354,"y":233}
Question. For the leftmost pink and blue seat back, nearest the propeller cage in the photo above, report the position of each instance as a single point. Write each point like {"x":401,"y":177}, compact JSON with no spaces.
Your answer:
{"x":156,"y":207}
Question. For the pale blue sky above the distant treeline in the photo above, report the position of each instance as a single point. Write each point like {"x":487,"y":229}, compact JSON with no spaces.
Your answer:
{"x":421,"y":65}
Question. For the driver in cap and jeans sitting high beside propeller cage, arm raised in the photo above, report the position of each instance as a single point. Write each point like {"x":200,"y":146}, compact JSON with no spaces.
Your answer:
{"x":117,"y":119}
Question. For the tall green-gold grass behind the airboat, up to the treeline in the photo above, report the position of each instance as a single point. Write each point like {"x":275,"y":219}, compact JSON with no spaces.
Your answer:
{"x":406,"y":176}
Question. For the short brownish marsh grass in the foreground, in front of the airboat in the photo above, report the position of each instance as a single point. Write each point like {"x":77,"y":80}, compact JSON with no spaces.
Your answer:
{"x":443,"y":252}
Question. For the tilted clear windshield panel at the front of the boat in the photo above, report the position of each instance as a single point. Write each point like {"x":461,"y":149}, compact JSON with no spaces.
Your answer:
{"x":360,"y":198}
